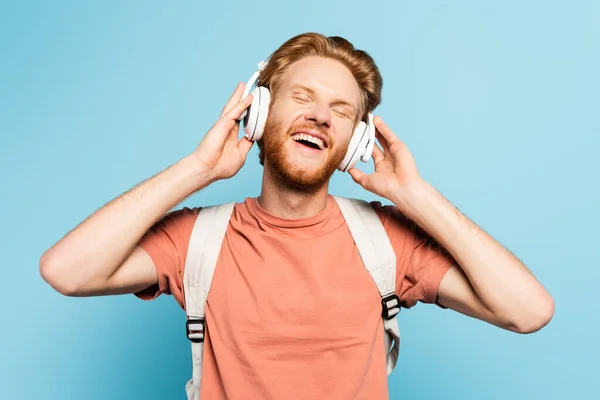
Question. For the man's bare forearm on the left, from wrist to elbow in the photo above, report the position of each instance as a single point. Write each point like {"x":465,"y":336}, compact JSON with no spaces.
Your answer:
{"x":95,"y":249}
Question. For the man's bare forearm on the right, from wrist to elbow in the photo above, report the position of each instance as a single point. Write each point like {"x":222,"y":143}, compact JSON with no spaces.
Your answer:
{"x":503,"y":284}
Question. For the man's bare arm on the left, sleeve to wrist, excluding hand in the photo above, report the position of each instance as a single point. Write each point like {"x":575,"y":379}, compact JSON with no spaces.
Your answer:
{"x":101,"y":255}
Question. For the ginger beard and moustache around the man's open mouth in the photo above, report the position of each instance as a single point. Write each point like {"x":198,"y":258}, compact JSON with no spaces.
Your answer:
{"x":285,"y":172}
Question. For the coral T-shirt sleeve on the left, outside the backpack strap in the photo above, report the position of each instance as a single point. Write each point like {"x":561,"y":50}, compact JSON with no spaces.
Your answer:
{"x":166,"y":243}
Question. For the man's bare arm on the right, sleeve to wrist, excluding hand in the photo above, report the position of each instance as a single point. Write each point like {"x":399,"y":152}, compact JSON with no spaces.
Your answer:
{"x":489,"y":283}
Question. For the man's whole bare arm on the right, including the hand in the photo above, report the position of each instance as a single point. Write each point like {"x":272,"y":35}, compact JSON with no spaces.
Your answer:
{"x":488,"y":282}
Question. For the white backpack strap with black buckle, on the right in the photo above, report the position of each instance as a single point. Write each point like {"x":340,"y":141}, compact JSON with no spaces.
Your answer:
{"x":379,"y":258}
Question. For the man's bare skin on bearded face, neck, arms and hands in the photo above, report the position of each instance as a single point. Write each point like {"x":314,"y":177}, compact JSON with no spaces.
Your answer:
{"x":101,"y":255}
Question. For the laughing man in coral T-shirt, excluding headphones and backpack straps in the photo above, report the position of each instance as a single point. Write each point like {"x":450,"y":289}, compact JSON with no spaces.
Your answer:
{"x":278,"y":317}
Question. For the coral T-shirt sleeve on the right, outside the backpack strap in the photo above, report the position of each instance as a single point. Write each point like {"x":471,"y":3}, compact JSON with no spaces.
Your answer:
{"x":421,"y":262}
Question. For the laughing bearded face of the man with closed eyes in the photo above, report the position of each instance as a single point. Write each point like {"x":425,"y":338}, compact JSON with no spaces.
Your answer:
{"x":310,"y":122}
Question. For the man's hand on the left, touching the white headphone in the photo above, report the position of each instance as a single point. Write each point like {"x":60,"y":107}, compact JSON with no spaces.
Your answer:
{"x":220,"y":153}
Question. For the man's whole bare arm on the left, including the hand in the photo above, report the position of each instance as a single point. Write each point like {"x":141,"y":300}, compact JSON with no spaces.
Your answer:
{"x":101,"y":256}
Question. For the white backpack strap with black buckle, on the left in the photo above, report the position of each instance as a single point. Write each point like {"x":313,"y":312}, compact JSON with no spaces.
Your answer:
{"x":203,"y":251}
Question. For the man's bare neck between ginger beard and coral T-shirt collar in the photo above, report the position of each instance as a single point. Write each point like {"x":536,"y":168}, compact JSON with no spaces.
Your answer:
{"x":285,"y":201}
